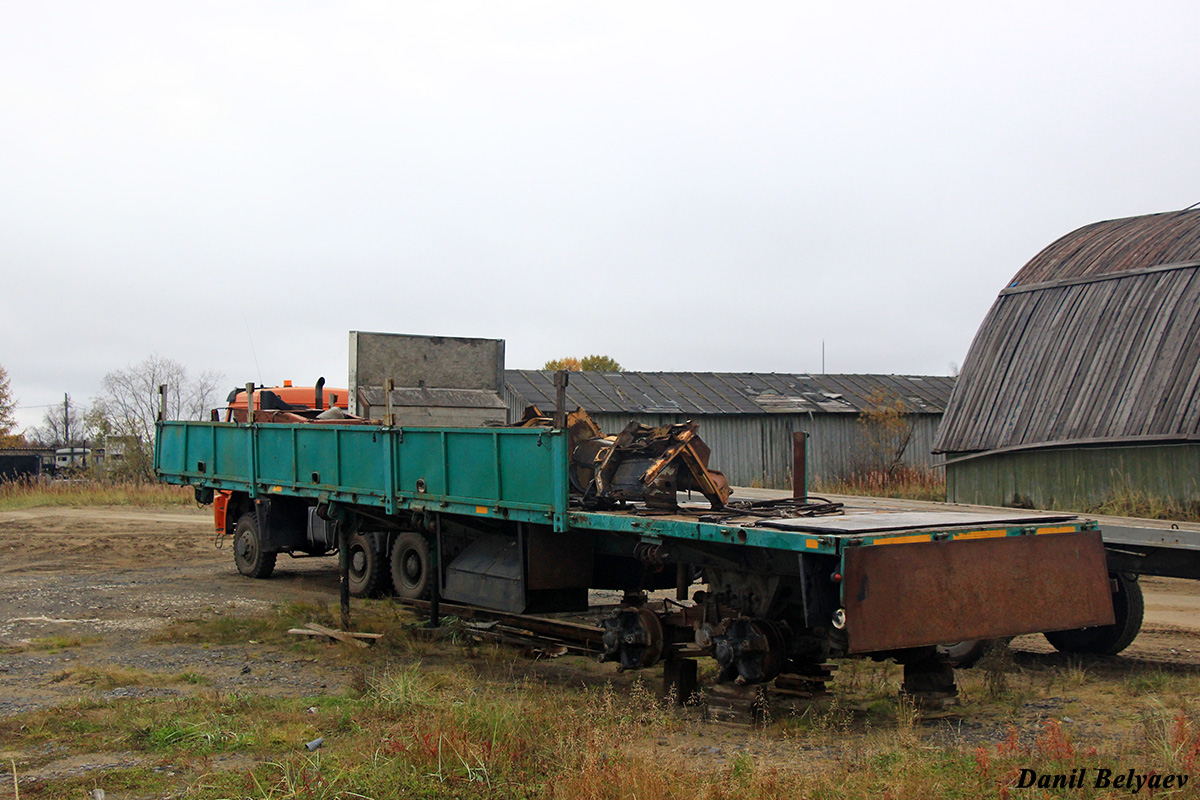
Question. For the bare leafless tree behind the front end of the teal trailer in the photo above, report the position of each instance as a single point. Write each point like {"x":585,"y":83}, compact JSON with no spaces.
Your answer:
{"x":128,"y":407}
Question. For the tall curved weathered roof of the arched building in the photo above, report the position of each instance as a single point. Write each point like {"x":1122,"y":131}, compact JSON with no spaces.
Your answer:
{"x":1097,"y":341}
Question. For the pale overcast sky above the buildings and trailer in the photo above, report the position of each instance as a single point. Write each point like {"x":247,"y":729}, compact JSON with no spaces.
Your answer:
{"x":681,"y":187}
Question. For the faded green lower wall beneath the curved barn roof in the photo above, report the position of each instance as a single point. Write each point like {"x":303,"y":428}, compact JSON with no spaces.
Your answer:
{"x":1078,"y":478}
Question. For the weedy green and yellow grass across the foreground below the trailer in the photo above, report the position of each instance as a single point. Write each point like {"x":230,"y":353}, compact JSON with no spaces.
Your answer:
{"x":439,"y":723}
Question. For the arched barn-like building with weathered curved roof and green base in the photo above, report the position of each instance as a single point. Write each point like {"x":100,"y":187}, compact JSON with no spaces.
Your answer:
{"x":1083,"y":384}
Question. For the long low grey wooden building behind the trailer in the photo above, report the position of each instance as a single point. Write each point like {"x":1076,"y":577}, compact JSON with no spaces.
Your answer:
{"x":748,"y":419}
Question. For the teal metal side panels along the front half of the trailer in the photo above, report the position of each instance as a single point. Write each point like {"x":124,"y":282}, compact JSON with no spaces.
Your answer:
{"x":508,"y":473}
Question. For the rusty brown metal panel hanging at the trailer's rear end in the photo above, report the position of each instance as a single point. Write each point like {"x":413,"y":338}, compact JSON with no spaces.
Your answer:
{"x":919,"y":594}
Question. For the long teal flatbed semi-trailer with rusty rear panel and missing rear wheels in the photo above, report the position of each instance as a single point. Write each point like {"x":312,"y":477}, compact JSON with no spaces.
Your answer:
{"x":488,"y":518}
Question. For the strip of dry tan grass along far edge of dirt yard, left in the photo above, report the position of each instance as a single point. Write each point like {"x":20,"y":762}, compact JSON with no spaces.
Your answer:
{"x":87,"y":492}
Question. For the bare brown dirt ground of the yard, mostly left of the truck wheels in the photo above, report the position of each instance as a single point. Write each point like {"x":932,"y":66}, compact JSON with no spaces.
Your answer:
{"x":115,"y":578}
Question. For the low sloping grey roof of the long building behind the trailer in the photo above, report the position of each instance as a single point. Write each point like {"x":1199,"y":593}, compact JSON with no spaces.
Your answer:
{"x":729,"y":393}
